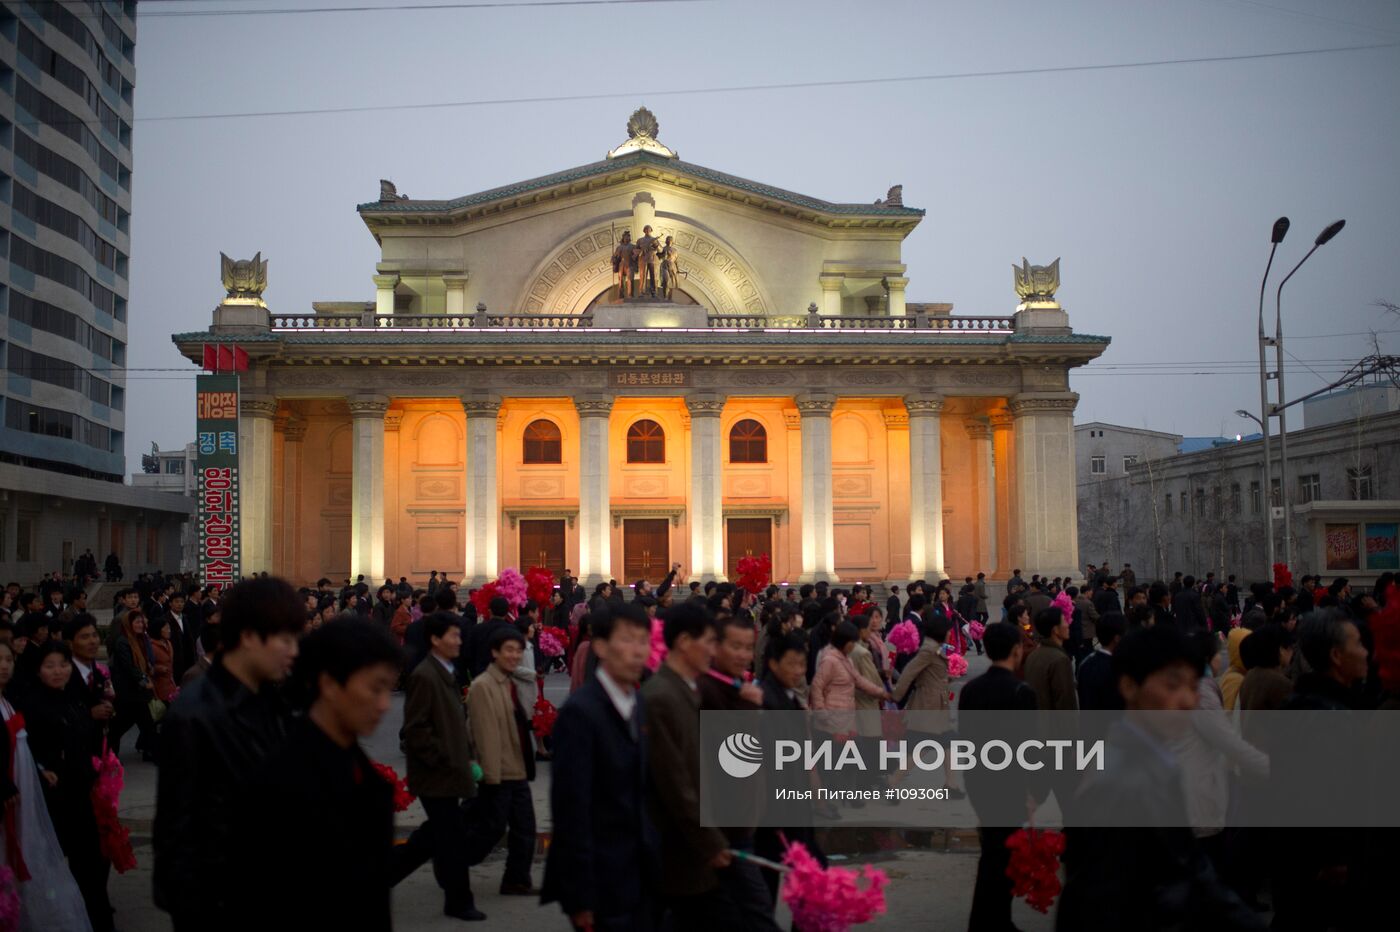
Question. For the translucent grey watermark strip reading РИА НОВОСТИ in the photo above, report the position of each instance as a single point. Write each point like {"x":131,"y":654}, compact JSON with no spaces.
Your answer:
{"x":1079,"y":769}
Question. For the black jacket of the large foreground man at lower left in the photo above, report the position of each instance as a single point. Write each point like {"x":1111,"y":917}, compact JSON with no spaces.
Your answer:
{"x":321,"y":833}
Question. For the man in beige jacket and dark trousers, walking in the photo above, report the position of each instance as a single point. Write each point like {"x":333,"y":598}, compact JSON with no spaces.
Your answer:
{"x":500,"y":734}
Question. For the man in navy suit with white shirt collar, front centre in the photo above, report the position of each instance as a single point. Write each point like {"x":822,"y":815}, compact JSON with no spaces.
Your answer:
{"x":601,"y":866}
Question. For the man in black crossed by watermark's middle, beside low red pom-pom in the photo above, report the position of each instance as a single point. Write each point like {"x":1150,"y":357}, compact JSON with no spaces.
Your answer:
{"x":997,"y":797}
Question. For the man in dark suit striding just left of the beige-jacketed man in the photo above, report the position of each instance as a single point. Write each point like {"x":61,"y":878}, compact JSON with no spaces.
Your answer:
{"x":439,"y":749}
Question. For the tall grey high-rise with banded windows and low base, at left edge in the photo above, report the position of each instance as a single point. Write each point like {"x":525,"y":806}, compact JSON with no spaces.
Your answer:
{"x":66,"y":87}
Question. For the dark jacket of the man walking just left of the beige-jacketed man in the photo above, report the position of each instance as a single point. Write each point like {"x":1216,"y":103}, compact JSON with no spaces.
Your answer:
{"x":435,"y":737}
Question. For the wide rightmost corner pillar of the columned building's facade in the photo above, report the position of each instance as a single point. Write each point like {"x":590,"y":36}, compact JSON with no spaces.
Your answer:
{"x":1045,"y":481}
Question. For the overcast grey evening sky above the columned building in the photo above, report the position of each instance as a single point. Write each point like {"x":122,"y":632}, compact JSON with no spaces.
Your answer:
{"x":1157,"y":187}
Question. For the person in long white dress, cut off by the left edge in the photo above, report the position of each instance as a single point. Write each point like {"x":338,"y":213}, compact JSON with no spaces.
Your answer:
{"x":50,"y":899}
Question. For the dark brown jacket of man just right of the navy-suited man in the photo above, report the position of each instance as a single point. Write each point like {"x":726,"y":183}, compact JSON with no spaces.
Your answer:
{"x":673,"y":733}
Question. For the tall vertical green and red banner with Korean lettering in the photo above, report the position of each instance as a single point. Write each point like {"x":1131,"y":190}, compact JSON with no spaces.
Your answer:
{"x":216,"y":416}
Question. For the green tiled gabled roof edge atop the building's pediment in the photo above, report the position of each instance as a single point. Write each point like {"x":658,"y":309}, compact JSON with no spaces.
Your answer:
{"x":629,"y":162}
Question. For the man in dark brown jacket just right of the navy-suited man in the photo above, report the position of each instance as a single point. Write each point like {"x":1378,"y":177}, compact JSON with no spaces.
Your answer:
{"x":691,"y":853}
